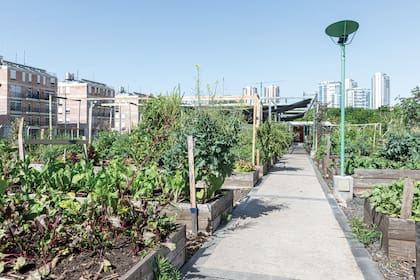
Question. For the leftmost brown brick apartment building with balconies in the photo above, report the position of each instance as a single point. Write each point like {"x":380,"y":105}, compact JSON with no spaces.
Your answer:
{"x":25,"y":92}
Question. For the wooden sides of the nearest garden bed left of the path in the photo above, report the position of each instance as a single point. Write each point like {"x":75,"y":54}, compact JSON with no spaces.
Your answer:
{"x":143,"y":270}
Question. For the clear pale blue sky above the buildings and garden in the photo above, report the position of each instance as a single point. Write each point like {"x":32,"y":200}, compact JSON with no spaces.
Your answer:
{"x":151,"y":46}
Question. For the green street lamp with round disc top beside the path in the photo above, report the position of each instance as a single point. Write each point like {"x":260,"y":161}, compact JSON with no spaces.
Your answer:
{"x":342,"y":30}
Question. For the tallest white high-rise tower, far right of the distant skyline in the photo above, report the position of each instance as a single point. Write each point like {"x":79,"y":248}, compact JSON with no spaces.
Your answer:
{"x":381,"y":90}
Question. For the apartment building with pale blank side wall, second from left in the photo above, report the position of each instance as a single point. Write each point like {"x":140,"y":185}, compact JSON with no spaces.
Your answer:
{"x":75,"y":98}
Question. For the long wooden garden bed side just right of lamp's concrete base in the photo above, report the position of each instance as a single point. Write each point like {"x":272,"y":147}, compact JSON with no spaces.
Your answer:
{"x":365,"y":179}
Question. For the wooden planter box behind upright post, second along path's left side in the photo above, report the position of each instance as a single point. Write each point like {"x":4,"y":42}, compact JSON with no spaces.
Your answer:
{"x":209,"y":214}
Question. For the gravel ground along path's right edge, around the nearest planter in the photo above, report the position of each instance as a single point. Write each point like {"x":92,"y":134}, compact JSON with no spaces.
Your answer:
{"x":391,"y":269}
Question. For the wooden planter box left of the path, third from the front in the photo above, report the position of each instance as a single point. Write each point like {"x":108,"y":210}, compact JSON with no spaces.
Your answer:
{"x":241,"y":184}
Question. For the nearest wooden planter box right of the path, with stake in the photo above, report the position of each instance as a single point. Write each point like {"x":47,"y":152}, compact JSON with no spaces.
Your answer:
{"x":398,"y":235}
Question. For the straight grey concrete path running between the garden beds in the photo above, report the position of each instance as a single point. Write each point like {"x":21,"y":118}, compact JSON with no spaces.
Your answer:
{"x":288,"y":228}
